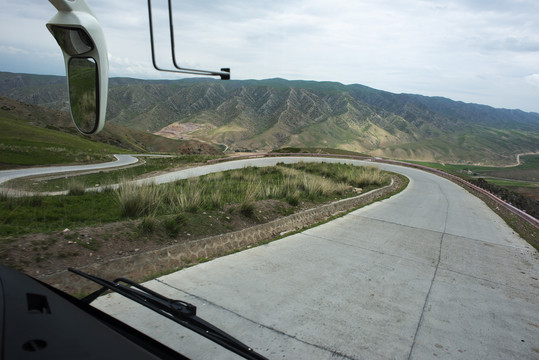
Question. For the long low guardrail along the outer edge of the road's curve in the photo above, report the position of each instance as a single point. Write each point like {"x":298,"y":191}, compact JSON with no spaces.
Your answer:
{"x":481,"y":193}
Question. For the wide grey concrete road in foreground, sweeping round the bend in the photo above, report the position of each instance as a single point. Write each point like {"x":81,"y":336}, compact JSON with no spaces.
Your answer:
{"x":429,"y":273}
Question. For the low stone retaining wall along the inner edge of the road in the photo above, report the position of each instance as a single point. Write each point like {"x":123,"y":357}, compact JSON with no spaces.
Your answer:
{"x":142,"y":266}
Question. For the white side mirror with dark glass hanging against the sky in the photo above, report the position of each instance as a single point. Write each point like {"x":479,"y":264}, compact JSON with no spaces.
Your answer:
{"x":82,"y":41}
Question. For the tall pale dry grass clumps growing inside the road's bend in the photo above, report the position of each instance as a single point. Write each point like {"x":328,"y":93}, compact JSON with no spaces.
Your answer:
{"x":246,"y":186}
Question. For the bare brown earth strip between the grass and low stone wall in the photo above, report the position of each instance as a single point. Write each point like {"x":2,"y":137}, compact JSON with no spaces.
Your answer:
{"x":41,"y":254}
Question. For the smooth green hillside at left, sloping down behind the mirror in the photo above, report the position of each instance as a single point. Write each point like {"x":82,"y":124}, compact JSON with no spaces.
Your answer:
{"x":32,"y":135}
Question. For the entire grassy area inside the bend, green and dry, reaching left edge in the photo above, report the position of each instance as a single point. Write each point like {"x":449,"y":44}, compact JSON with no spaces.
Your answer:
{"x":182,"y":202}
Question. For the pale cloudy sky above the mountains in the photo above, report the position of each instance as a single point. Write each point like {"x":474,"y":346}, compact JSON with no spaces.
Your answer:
{"x":482,"y":51}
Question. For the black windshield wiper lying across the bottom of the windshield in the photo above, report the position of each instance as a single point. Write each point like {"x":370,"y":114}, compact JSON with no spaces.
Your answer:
{"x":178,"y":311}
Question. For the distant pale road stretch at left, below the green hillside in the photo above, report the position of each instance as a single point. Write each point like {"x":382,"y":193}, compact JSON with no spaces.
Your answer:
{"x":121,"y":160}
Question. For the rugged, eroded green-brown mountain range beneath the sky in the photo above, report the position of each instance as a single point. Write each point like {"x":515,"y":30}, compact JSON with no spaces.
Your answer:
{"x":262,"y":115}
